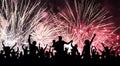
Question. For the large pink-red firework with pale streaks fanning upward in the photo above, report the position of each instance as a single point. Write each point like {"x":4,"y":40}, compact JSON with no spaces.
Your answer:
{"x":85,"y":18}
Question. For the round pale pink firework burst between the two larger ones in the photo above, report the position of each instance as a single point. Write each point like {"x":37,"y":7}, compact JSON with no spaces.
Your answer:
{"x":47,"y":31}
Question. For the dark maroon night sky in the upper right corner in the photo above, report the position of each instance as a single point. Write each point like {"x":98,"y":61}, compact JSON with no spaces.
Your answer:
{"x":114,"y":7}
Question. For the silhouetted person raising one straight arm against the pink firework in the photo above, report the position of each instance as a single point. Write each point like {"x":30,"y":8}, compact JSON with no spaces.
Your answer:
{"x":86,"y":48}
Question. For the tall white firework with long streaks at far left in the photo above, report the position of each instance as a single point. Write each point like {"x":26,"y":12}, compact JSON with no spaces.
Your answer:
{"x":18,"y":19}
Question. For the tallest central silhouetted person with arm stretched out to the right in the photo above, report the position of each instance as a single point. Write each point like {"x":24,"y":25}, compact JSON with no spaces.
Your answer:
{"x":59,"y":48}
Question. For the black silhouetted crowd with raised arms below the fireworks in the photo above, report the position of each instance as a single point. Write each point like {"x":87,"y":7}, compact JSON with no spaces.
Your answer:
{"x":57,"y":54}
